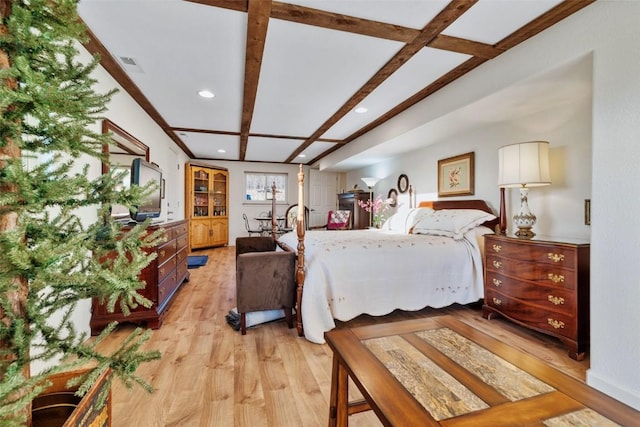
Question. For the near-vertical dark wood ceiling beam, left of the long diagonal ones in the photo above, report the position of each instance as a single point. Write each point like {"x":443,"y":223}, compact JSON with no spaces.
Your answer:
{"x":258,"y":13}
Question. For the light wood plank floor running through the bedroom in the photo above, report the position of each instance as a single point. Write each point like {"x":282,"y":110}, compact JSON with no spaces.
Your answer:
{"x":210,"y":375}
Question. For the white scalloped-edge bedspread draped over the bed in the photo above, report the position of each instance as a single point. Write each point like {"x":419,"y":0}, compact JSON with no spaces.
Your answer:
{"x":349,"y":273}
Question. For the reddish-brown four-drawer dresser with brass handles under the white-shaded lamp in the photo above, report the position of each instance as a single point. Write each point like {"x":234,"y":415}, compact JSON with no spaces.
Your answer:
{"x":540,"y":283}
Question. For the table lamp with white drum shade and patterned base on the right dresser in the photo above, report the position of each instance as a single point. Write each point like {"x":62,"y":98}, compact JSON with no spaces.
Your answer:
{"x":524,"y":165}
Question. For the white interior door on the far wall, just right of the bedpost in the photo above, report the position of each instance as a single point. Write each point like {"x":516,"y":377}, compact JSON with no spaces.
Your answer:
{"x":323,"y":187}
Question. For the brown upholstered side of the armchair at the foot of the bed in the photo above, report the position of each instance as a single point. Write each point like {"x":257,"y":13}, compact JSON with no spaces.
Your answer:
{"x":265,"y":281}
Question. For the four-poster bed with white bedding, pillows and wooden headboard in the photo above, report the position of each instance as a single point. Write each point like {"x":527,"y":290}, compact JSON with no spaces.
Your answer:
{"x":428,"y":256}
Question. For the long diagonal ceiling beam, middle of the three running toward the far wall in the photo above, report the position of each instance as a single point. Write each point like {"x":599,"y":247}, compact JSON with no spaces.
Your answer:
{"x":449,"y":14}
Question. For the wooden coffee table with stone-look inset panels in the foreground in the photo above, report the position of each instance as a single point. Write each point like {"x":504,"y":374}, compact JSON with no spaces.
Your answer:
{"x":439,"y":371}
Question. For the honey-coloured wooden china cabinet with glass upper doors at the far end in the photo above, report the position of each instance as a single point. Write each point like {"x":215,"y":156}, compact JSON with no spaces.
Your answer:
{"x":207,"y":203}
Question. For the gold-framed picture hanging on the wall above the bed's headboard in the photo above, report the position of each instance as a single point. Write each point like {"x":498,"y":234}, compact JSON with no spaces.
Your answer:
{"x":456,"y":175}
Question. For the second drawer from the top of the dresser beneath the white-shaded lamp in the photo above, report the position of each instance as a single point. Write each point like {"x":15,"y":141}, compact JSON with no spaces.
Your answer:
{"x":542,"y":274}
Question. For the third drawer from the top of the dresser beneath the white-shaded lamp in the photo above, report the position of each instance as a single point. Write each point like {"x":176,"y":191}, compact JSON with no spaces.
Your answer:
{"x":545,"y":297}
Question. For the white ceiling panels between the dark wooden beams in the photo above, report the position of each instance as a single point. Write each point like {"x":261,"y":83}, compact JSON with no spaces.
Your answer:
{"x":307,"y":73}
